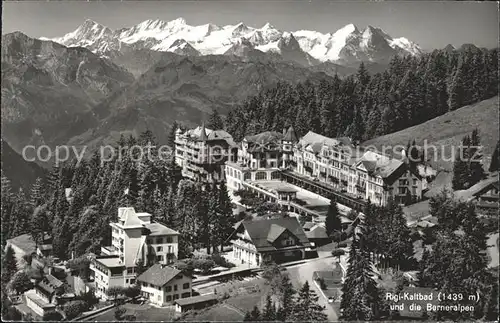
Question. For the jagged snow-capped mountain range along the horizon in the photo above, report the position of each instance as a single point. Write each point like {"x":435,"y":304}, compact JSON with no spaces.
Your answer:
{"x":348,"y":44}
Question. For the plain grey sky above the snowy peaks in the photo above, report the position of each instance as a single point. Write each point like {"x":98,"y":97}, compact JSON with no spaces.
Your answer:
{"x":431,"y":24}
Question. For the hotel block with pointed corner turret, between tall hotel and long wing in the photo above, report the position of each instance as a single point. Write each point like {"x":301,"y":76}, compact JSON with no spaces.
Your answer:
{"x":260,"y":157}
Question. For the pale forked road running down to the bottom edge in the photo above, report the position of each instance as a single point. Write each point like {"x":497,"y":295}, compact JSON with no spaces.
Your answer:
{"x":301,"y":273}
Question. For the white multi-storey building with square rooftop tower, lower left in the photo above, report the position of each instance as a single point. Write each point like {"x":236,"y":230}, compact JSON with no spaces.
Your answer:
{"x":135,"y":240}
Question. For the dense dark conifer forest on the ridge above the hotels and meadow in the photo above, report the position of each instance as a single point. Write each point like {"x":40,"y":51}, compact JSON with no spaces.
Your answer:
{"x":411,"y":91}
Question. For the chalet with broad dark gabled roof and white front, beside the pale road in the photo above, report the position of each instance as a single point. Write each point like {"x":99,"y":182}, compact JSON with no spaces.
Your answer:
{"x":278,"y":239}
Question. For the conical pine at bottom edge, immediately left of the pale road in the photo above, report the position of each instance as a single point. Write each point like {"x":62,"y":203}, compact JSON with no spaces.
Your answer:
{"x":307,"y":308}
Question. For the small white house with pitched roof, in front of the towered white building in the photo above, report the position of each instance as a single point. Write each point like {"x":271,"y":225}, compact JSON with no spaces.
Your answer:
{"x":162,"y":284}
